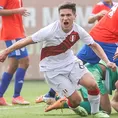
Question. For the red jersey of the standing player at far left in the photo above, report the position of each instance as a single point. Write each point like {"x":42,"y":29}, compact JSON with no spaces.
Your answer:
{"x":12,"y":25}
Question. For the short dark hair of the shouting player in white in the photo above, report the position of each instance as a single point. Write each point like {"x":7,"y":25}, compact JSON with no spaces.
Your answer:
{"x":68,"y":5}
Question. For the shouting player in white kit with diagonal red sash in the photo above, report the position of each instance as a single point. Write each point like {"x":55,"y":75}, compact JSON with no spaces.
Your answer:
{"x":62,"y":70}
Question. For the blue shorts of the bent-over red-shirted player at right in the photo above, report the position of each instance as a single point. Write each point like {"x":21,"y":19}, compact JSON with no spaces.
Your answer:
{"x":86,"y":54}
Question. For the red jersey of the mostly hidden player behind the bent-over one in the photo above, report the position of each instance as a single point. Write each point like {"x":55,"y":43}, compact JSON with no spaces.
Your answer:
{"x":101,"y":6}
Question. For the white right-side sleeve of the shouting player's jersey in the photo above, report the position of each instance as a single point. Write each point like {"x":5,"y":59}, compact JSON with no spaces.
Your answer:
{"x":85,"y":37}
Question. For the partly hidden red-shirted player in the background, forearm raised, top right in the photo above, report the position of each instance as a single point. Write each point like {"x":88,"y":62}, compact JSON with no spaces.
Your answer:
{"x":100,"y":9}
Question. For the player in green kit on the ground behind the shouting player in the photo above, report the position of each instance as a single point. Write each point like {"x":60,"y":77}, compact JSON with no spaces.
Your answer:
{"x":99,"y":73}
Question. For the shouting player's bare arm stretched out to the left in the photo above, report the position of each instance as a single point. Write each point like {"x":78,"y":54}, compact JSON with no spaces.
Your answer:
{"x":21,"y":43}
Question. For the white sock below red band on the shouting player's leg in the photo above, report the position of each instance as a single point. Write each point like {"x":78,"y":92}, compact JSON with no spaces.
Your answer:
{"x":94,"y":102}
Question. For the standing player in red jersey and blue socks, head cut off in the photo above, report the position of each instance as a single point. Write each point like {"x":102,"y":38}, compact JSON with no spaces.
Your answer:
{"x":12,"y":30}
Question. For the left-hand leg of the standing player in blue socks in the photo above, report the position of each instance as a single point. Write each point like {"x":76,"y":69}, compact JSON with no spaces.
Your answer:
{"x":8,"y":74}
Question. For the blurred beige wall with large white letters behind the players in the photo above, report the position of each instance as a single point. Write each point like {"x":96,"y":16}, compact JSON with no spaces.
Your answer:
{"x":44,"y":12}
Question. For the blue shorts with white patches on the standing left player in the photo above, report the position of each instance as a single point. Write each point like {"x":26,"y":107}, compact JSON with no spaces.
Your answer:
{"x":18,"y":54}
